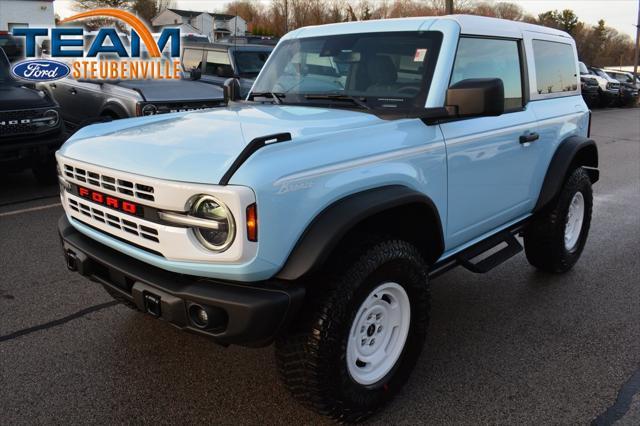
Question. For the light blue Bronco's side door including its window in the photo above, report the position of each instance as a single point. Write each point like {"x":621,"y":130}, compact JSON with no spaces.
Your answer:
{"x":491,"y":160}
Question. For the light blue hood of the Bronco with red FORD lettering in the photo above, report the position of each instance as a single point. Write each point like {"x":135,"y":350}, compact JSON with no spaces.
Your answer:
{"x":200,"y":146}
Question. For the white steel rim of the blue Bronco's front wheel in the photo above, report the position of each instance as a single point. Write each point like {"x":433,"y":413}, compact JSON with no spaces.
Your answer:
{"x":378,"y":333}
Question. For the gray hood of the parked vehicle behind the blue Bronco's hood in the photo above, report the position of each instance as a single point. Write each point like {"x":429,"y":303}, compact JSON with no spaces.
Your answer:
{"x":174,"y":90}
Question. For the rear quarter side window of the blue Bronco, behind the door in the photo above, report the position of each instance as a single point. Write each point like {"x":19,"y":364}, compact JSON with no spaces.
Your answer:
{"x":555,"y":67}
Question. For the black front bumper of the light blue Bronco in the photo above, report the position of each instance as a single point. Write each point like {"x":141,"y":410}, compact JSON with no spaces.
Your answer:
{"x":248,"y":314}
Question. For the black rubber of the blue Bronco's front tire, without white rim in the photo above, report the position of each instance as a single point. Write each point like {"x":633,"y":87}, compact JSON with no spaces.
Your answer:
{"x":312,"y":356}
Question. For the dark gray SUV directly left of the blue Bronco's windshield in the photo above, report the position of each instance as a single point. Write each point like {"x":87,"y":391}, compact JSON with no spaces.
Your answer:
{"x":218,"y":62}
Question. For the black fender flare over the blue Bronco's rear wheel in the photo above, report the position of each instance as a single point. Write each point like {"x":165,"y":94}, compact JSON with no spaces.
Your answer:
{"x":573,"y":151}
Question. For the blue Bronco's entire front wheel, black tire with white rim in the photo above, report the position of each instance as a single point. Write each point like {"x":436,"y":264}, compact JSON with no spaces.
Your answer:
{"x":352,"y":353}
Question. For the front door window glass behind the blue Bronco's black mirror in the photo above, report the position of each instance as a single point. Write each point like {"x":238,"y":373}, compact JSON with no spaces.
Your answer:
{"x":491,"y":58}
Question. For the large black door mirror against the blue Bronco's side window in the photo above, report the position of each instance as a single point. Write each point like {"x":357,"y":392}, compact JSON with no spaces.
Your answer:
{"x":475,"y":97}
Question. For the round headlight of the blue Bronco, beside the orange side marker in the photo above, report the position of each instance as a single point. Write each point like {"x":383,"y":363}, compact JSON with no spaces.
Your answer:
{"x":207,"y":207}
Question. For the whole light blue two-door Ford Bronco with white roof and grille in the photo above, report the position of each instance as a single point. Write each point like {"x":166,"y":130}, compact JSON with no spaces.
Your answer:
{"x":368,"y":158}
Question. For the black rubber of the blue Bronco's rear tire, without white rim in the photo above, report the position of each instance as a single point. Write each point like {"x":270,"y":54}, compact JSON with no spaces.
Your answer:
{"x":544,"y":237}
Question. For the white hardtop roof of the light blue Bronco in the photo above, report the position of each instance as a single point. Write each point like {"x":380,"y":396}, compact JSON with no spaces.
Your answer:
{"x":469,"y":24}
